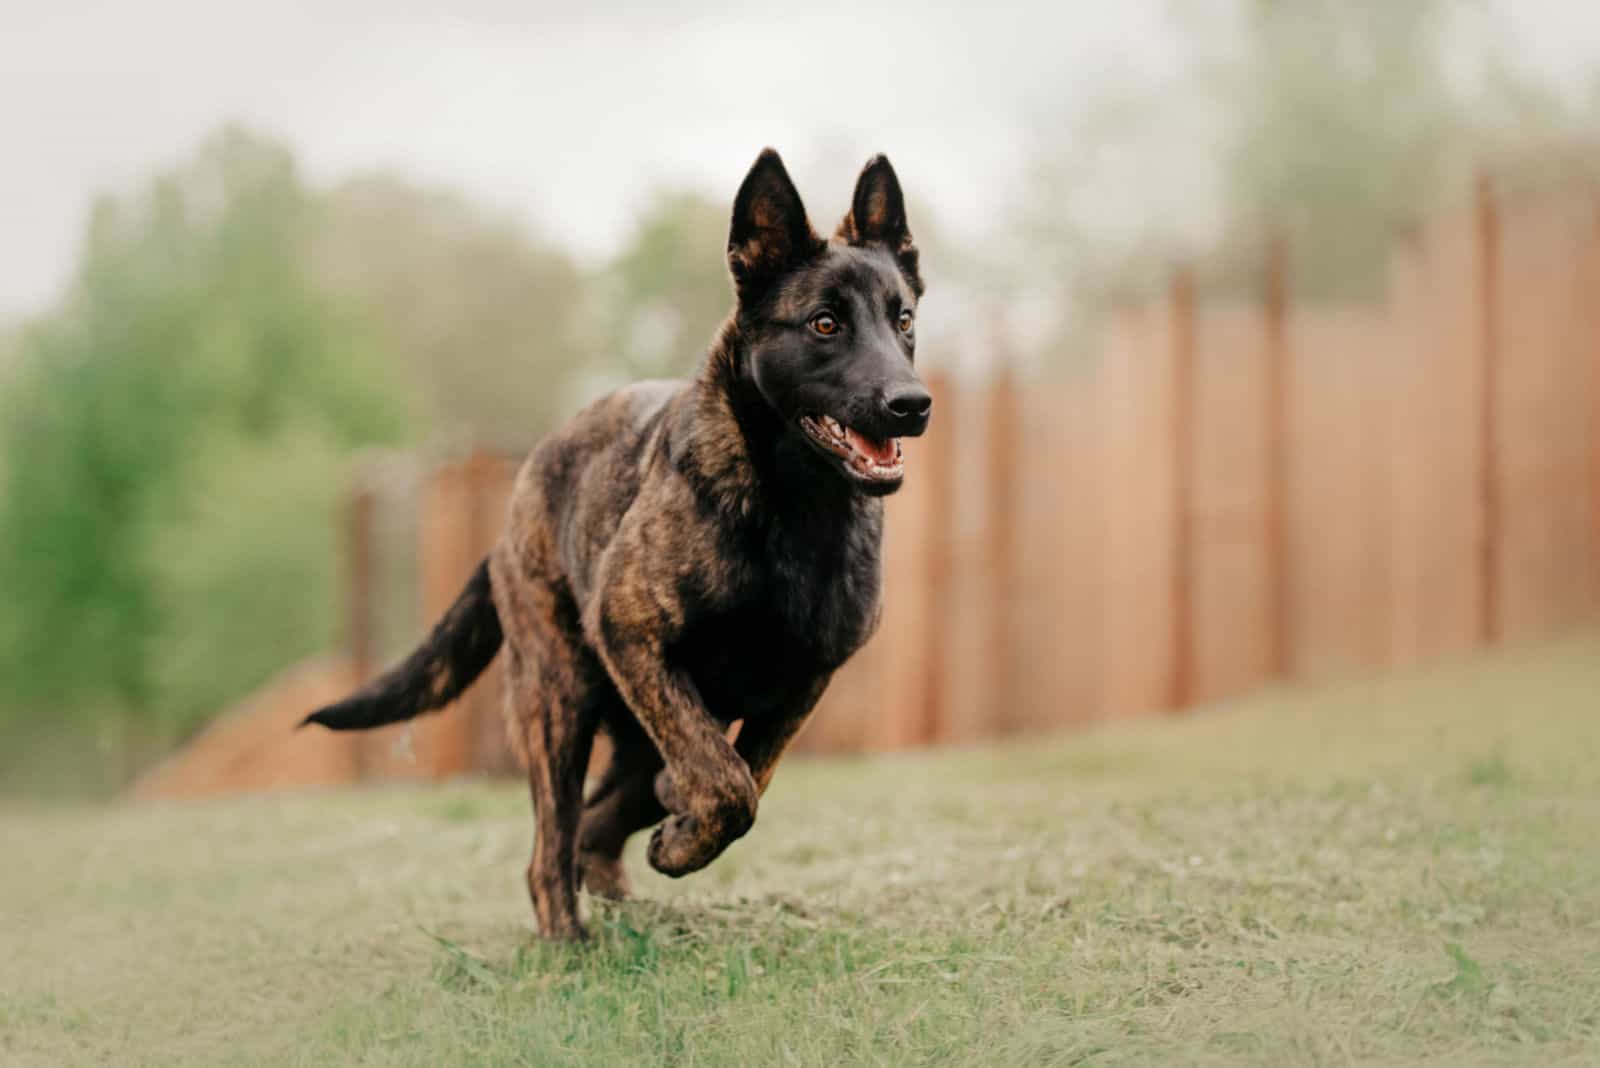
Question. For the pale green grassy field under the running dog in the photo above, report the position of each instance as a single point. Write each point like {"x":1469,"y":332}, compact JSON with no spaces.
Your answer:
{"x":1404,"y":872}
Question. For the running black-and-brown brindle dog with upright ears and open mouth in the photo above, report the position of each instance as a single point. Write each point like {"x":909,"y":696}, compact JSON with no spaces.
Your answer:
{"x":692,"y":554}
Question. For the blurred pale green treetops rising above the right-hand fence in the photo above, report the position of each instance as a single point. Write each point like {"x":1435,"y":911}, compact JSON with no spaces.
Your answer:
{"x":1329,"y":122}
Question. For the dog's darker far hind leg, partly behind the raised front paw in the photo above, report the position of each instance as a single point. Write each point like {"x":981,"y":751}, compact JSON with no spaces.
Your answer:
{"x":623,"y":803}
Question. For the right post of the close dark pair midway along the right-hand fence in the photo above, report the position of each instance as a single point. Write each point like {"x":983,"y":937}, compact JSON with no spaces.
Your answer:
{"x":1281,"y":616}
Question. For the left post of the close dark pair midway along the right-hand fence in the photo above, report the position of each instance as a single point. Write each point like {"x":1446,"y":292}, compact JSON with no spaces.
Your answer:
{"x":1182,"y":311}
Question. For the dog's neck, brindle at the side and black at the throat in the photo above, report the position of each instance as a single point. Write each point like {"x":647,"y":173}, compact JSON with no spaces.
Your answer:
{"x":740,"y":455}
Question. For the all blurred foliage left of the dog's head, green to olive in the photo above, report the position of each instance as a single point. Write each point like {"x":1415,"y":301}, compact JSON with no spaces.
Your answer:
{"x":175,"y":439}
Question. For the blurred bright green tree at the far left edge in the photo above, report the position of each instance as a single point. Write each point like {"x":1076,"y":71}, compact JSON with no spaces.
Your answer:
{"x":146,"y":429}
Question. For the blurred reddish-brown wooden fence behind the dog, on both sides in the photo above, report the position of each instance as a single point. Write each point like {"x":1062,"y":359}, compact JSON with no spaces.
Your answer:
{"x":1236,"y":492}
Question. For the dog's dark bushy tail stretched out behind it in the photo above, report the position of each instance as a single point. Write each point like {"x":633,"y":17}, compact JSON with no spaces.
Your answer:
{"x":436,"y":674}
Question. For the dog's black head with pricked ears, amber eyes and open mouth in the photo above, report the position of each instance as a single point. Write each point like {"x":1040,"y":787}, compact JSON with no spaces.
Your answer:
{"x":830,"y":327}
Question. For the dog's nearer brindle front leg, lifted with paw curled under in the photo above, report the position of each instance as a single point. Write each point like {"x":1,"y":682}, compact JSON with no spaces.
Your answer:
{"x":713,"y":791}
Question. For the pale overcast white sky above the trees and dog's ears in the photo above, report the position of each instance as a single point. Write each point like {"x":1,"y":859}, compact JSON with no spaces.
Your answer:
{"x":569,"y":116}
